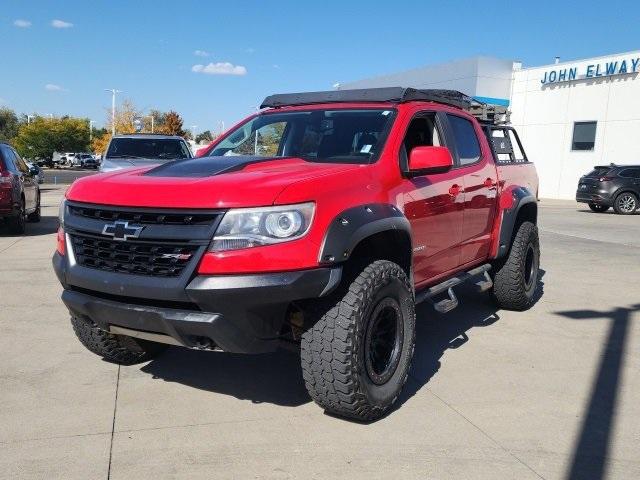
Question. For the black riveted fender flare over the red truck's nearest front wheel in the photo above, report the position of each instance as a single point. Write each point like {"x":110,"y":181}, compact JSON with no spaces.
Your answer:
{"x":355,"y":224}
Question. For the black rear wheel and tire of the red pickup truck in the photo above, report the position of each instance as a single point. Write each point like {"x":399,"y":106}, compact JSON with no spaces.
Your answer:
{"x":514,"y":283}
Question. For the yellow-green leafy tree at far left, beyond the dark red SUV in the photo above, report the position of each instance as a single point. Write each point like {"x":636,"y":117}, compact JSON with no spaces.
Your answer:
{"x":43,"y":136}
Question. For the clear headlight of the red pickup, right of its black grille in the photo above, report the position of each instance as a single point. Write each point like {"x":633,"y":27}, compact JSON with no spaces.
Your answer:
{"x":254,"y":227}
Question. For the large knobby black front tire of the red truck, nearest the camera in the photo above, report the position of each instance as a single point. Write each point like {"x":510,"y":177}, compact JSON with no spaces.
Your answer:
{"x":334,"y":367}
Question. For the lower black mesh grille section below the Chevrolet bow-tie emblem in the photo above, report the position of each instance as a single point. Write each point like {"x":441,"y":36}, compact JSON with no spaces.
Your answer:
{"x":153,"y":258}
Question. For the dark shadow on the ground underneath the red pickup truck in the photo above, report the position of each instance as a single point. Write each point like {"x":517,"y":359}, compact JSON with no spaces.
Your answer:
{"x":277,"y":378}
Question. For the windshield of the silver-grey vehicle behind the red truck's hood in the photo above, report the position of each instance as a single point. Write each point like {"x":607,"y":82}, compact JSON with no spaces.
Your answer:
{"x":154,"y":148}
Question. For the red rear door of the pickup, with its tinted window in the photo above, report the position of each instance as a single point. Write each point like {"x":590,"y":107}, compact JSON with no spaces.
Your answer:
{"x":477,"y":169}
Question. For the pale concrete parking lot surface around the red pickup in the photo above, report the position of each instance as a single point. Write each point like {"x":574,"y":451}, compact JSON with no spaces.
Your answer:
{"x":549,"y":393}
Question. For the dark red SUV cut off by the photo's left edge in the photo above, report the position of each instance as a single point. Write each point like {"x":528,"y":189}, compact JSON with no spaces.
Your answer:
{"x":19,"y":191}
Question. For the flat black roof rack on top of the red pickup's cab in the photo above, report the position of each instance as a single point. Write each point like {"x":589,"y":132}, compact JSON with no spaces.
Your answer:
{"x":484,"y":112}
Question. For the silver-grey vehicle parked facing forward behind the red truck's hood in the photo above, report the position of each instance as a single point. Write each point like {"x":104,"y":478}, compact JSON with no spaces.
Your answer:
{"x":126,"y":151}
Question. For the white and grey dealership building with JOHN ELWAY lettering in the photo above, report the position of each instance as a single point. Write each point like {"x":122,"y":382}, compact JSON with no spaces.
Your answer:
{"x":570,"y":115}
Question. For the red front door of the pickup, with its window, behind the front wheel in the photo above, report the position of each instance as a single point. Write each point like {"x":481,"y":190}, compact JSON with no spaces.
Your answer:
{"x":433,"y":205}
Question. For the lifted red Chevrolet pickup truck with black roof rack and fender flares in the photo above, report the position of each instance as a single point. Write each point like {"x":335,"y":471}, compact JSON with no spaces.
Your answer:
{"x":316,"y":224}
